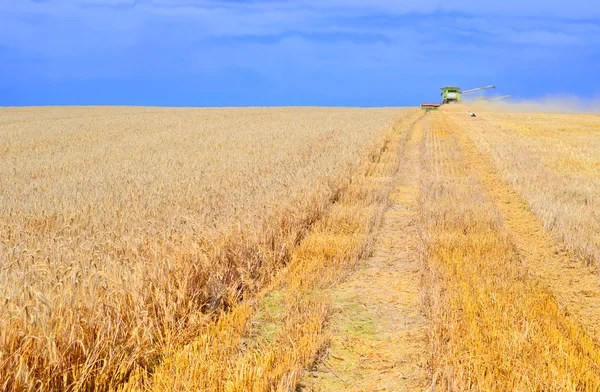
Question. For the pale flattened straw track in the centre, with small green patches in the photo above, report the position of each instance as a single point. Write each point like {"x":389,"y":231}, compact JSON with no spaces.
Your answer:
{"x":379,"y":331}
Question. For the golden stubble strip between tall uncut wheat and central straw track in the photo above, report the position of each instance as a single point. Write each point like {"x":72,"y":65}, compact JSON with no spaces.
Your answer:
{"x":265,"y":344}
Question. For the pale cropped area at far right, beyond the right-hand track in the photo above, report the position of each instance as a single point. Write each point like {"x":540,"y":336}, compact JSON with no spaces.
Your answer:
{"x":553,"y":161}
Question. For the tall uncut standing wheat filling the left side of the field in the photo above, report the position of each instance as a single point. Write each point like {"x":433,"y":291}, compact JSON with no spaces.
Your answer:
{"x":121,"y":228}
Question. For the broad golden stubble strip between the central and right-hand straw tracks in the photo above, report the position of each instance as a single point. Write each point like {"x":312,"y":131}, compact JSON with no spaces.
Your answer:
{"x":495,"y":326}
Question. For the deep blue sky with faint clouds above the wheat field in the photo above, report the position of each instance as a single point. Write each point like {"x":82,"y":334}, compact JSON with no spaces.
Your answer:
{"x":292,"y":52}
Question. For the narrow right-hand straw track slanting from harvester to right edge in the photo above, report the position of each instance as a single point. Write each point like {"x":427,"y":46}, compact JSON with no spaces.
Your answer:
{"x":574,"y":284}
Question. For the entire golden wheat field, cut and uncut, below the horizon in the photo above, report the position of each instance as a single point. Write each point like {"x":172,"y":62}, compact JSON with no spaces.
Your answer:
{"x":232,"y":249}
